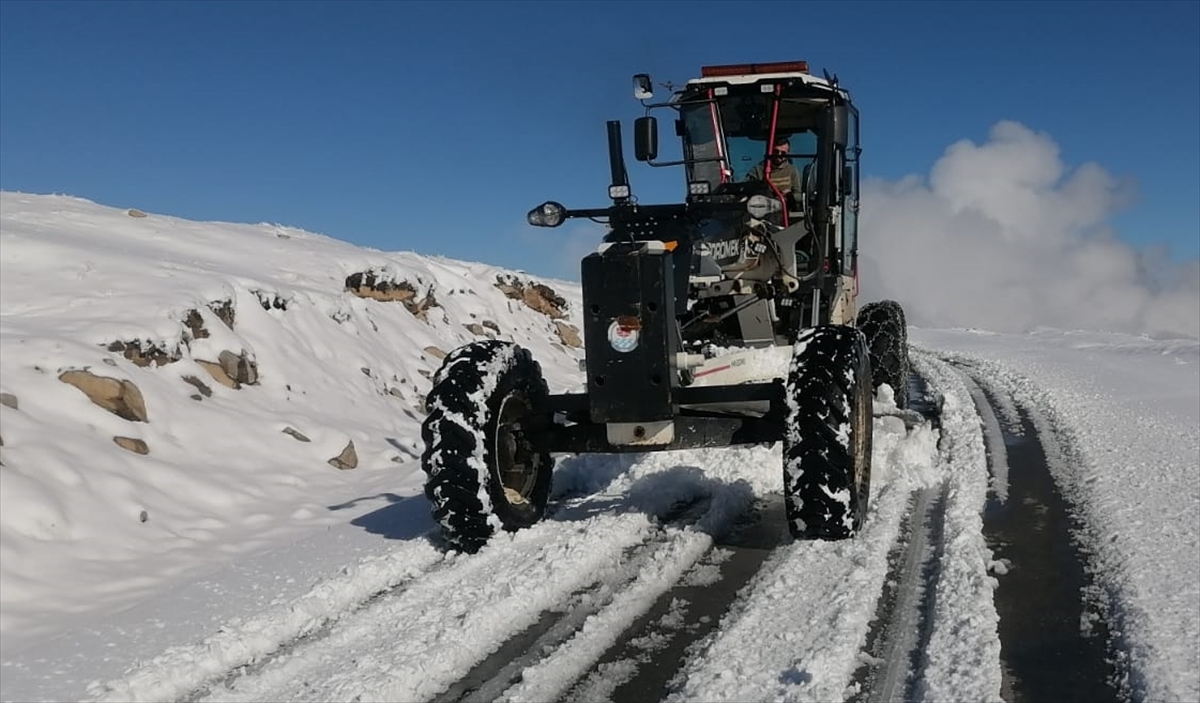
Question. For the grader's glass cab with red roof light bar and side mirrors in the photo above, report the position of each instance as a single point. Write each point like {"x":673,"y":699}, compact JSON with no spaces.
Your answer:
{"x":729,"y":122}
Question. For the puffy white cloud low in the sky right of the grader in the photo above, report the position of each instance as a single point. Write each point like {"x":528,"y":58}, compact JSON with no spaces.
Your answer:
{"x":1003,"y":236}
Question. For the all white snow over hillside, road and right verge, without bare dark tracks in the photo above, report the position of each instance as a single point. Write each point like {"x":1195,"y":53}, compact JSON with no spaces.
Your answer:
{"x":205,"y":512}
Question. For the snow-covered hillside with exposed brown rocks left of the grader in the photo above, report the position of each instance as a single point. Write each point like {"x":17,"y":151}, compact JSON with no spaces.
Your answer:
{"x":88,"y":526}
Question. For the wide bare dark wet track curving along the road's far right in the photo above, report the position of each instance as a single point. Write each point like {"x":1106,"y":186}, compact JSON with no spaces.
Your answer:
{"x":1055,"y":641}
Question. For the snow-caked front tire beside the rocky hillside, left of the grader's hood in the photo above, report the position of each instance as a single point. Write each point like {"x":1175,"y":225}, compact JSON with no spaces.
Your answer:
{"x":482,"y":471}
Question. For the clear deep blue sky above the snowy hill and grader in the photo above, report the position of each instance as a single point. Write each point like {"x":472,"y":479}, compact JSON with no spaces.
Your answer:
{"x":435,"y":127}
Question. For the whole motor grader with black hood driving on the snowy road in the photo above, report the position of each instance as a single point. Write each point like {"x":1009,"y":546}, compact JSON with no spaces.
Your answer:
{"x":730,"y":317}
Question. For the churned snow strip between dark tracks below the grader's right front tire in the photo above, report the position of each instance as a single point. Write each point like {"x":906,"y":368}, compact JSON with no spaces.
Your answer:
{"x":796,"y":630}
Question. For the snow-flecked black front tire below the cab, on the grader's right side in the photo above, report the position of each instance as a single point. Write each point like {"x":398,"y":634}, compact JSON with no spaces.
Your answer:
{"x":827,"y":440}
